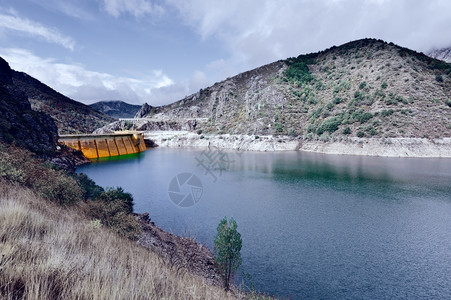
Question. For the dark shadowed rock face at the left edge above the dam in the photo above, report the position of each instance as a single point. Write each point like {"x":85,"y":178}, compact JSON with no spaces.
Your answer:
{"x":19,"y":124}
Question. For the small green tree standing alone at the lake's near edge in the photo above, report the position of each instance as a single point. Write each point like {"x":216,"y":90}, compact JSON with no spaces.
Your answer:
{"x":227,"y":250}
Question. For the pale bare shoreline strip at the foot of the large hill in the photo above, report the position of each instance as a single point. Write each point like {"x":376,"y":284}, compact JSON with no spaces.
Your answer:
{"x":381,"y":147}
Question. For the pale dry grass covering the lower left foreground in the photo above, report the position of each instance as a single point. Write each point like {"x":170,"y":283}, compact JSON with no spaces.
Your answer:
{"x":54,"y":252}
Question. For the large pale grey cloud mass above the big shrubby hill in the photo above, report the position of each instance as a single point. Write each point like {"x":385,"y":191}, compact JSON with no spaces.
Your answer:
{"x":255,"y":33}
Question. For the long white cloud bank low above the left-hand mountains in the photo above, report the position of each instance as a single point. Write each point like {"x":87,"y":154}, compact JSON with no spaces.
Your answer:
{"x":78,"y":83}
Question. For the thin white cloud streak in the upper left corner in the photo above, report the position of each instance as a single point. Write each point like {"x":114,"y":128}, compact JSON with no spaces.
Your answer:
{"x":13,"y":23}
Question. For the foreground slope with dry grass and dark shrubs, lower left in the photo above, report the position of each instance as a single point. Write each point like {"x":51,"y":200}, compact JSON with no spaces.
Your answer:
{"x":52,"y":246}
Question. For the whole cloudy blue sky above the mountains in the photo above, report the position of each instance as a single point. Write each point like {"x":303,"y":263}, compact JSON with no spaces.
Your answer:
{"x":159,"y":51}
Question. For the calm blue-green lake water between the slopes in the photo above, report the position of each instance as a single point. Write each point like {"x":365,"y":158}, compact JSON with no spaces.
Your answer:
{"x":313,"y":226}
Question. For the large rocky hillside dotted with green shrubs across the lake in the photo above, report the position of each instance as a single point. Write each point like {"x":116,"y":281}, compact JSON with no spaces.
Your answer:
{"x":365,"y":88}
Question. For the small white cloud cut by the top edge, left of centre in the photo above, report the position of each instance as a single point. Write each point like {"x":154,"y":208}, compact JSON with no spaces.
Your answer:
{"x":137,"y":8}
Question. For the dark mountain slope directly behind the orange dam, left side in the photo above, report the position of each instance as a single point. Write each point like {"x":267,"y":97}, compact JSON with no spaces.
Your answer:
{"x":70,"y":116}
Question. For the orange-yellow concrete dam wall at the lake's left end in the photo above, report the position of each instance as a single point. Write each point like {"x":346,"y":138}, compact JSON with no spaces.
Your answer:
{"x":105,"y":145}
